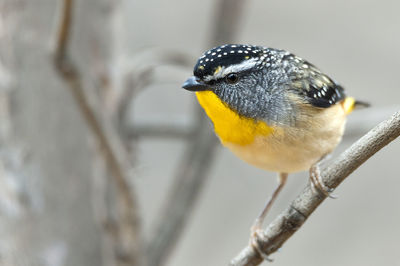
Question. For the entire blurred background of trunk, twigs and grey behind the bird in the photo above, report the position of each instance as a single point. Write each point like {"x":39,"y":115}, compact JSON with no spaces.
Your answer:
{"x":105,"y":160}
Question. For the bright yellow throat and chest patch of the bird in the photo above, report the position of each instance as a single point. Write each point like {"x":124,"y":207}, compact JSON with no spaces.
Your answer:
{"x":228,"y":125}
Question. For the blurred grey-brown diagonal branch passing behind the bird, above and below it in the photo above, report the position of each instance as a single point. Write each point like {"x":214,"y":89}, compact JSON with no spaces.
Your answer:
{"x":197,"y":159}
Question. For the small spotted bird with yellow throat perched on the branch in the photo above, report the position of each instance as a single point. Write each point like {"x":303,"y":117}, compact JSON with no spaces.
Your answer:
{"x":272,"y":109}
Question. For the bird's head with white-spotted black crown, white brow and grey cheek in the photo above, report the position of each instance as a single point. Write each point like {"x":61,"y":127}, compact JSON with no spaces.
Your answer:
{"x":242,"y":77}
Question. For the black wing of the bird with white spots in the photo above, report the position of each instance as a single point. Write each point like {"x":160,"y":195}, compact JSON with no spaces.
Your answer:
{"x":319,"y":90}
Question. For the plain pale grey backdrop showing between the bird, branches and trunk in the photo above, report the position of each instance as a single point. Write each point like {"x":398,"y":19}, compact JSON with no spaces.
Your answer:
{"x":356,"y":43}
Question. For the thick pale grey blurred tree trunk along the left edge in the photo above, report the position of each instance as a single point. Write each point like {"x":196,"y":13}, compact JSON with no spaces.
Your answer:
{"x":48,"y":186}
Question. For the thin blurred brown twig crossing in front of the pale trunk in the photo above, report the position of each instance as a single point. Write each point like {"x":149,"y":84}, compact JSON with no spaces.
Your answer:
{"x":127,"y":251}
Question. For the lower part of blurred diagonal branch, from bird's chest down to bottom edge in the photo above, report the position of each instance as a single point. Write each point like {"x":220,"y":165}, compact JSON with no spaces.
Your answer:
{"x":192,"y":173}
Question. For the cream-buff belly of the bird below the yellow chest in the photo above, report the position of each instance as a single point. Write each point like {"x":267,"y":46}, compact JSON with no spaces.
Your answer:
{"x":297,"y":148}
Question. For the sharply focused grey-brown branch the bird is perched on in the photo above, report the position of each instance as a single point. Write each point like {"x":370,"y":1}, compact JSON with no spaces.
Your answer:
{"x":290,"y":220}
